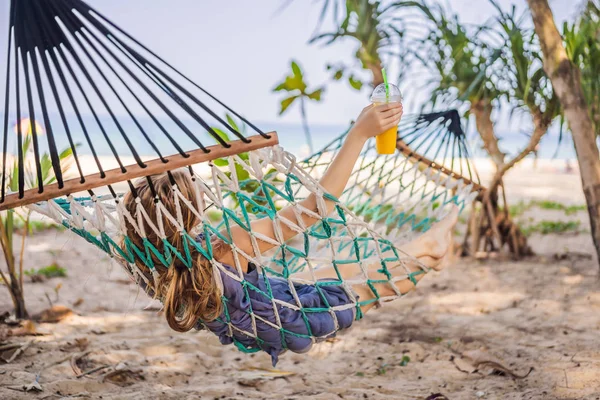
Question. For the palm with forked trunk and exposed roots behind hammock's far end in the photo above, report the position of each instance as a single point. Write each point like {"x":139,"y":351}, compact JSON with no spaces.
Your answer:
{"x":461,"y":59}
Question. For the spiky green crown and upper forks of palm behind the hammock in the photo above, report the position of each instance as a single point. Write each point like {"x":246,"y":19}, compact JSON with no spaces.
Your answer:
{"x":488,"y":65}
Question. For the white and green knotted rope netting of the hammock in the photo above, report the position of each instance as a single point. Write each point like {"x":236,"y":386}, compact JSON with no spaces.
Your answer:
{"x":384,"y":202}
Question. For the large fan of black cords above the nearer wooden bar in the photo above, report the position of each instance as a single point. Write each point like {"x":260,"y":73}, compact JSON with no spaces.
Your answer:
{"x":72,"y":46}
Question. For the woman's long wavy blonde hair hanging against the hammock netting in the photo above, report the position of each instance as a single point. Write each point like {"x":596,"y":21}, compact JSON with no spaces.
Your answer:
{"x":188,"y":294}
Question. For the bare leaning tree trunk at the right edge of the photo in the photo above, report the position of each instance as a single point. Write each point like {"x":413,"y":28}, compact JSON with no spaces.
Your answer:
{"x":565,"y":78}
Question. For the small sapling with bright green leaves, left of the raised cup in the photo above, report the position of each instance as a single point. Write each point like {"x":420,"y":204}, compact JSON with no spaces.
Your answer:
{"x":296,"y":88}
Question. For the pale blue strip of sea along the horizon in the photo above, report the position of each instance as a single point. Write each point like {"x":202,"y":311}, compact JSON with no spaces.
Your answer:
{"x":291,"y":137}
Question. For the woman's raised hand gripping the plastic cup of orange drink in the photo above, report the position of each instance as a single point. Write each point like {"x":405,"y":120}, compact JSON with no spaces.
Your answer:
{"x":374,"y":120}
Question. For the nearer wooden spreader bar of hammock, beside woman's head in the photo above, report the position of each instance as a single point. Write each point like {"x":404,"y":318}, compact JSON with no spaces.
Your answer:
{"x":134,"y":171}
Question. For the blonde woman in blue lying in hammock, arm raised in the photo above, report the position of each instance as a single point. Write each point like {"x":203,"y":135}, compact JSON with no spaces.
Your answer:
{"x":192,"y":298}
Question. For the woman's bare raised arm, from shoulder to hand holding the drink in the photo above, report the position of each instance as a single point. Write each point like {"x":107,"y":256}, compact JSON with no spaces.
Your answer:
{"x":372,"y":121}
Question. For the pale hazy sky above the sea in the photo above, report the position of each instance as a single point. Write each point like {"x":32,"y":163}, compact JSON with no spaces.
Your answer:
{"x":240,"y":49}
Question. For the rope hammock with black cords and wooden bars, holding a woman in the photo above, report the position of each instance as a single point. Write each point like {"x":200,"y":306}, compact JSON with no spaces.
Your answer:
{"x":102,"y":94}
